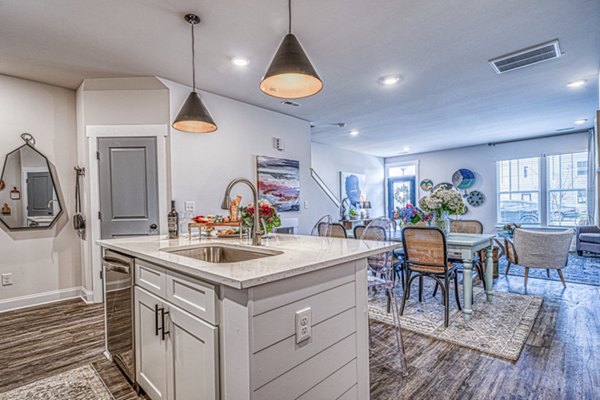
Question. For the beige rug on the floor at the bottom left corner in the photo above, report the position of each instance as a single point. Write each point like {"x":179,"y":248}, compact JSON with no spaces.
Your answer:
{"x":81,"y":383}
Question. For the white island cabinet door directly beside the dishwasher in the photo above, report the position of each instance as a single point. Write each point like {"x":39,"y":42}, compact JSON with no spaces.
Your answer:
{"x":150,"y":349}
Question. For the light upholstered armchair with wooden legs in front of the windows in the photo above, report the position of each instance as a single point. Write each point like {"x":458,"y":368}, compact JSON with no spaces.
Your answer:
{"x":545,"y":250}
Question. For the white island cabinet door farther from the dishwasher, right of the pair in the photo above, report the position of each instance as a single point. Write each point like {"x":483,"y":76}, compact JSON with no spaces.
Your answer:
{"x":193,"y":357}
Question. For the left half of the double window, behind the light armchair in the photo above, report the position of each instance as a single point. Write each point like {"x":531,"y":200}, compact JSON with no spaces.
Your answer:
{"x":519,"y":191}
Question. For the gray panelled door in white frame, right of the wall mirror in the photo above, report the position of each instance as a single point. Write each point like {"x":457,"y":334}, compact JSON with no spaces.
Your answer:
{"x":128,"y":187}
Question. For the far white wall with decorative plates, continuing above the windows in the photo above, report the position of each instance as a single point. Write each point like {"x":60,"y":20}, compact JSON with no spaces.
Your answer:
{"x":440,"y":165}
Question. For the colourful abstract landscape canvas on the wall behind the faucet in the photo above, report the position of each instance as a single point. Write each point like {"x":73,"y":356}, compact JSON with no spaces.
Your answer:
{"x":279,"y":182}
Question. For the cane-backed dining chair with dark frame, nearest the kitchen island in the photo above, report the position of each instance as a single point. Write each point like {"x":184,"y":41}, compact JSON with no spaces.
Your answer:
{"x":426,"y":255}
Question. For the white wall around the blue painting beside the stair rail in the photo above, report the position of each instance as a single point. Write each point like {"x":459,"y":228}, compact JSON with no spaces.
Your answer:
{"x":329,"y":161}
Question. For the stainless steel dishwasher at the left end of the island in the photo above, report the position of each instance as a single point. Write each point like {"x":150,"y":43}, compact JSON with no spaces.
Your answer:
{"x":118,"y":273}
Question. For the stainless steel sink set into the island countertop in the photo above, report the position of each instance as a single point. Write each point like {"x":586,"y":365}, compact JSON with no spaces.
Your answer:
{"x":222,"y":254}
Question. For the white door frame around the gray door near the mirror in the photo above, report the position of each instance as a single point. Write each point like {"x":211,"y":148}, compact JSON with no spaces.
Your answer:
{"x":92,"y":254}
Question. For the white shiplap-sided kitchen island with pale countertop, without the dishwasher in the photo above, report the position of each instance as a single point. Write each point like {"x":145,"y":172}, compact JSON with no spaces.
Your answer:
{"x":215,"y":318}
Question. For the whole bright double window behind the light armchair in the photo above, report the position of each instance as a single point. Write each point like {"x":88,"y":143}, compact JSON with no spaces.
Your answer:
{"x":549,"y":191}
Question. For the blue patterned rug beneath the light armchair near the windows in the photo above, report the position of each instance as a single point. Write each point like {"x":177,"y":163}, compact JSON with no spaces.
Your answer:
{"x":584,"y":270}
